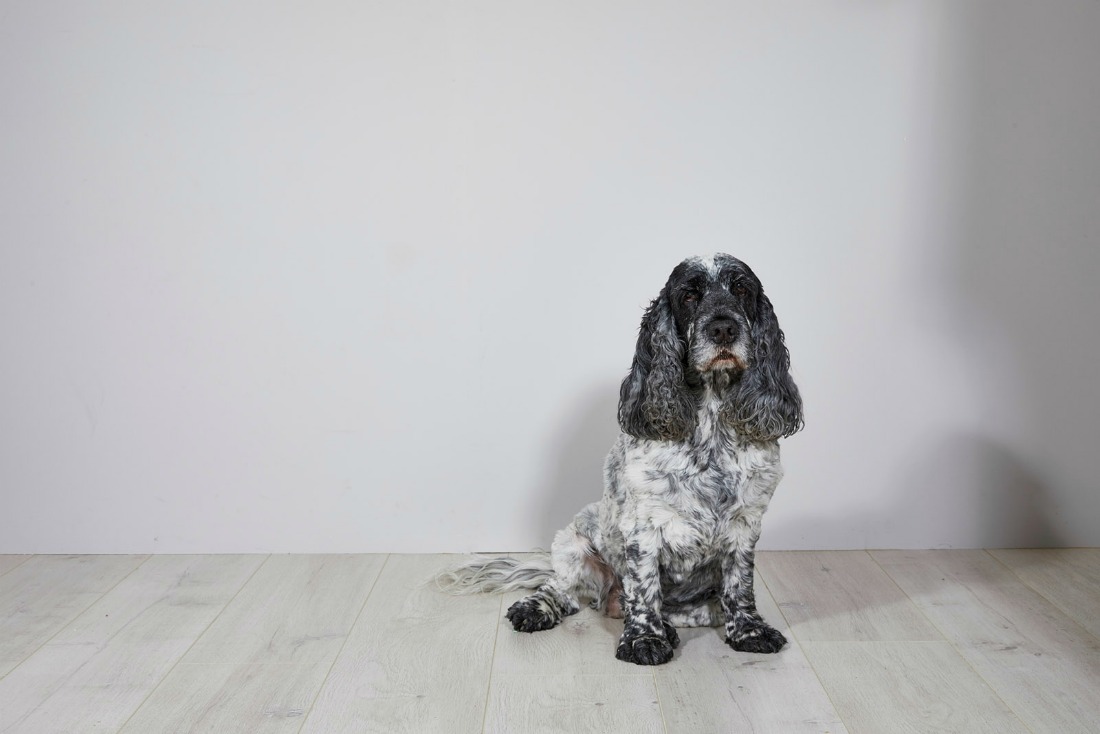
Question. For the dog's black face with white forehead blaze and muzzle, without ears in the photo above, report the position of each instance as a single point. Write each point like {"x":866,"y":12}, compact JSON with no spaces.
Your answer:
{"x":713,"y":302}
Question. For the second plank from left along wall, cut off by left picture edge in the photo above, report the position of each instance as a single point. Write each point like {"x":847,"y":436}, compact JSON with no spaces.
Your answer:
{"x":41,"y":596}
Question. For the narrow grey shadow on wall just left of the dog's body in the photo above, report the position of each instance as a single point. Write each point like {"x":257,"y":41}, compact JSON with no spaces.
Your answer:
{"x":576,"y":462}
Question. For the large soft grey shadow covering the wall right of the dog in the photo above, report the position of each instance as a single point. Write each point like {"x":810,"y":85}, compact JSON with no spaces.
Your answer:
{"x":1020,"y":297}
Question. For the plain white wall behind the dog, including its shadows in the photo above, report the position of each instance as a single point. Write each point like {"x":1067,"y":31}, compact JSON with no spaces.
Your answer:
{"x":358,"y":277}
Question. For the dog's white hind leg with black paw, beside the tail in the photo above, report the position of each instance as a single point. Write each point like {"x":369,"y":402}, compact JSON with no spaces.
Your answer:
{"x":578,"y":573}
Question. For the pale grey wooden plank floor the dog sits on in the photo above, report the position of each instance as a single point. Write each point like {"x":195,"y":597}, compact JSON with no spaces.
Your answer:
{"x":883,"y":642}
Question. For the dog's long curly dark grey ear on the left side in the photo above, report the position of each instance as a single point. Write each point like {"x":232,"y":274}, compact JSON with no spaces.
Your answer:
{"x":655,"y":402}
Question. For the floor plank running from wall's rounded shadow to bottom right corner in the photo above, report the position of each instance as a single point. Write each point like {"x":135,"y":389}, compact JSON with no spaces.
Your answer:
{"x":1042,"y":663}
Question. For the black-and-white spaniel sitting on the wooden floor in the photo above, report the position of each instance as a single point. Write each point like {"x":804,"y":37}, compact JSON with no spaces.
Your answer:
{"x":673,"y":542}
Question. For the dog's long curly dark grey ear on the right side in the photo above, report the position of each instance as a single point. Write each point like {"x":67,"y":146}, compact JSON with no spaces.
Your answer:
{"x":767,"y":406}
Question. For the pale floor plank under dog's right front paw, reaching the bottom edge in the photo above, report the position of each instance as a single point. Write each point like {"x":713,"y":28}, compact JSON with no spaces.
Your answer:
{"x":709,"y":687}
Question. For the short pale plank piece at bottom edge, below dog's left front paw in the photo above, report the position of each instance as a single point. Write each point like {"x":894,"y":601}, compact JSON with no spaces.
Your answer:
{"x":574,"y":704}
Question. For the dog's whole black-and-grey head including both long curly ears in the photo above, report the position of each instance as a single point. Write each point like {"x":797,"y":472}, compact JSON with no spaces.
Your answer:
{"x":712,"y":327}
